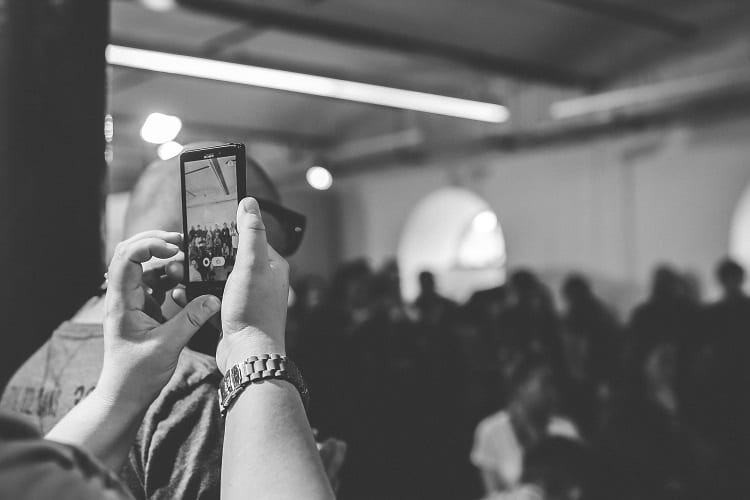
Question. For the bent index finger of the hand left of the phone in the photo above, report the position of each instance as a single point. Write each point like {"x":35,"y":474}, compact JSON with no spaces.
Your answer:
{"x":125,"y":271}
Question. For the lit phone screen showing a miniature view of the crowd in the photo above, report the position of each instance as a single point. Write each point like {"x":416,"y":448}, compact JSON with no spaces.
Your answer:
{"x":211,"y":236}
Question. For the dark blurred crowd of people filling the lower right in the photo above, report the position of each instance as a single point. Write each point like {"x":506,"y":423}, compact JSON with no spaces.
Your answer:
{"x":510,"y":392}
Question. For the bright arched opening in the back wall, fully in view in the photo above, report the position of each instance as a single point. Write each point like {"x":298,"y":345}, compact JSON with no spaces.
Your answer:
{"x":456,"y":235}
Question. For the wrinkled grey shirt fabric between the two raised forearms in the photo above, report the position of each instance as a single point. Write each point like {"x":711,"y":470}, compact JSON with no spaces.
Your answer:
{"x":177,"y":453}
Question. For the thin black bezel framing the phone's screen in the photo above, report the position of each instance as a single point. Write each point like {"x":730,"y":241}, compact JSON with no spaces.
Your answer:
{"x":214,"y":287}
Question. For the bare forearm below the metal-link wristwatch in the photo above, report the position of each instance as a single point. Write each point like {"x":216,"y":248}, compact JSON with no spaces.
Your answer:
{"x":269,"y":450}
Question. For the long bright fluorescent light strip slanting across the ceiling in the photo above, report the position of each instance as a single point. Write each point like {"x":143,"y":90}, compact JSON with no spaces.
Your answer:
{"x":210,"y":69}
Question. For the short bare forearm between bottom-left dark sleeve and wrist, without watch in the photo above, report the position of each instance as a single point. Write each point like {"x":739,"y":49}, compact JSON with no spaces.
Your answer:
{"x":103,"y":427}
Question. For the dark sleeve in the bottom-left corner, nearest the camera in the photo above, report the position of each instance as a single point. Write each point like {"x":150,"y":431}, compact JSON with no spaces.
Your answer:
{"x":35,"y":468}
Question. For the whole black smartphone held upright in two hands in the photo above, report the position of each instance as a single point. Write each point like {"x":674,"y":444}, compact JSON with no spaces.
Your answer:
{"x":213,"y":183}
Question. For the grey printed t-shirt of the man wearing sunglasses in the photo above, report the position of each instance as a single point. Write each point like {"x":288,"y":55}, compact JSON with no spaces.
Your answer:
{"x":177,"y":452}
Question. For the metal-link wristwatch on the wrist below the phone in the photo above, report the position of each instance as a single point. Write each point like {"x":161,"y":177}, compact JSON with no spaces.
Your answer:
{"x":256,"y":369}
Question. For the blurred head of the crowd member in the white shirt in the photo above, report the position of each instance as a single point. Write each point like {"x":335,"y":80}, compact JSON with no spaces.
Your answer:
{"x":532,"y":387}
